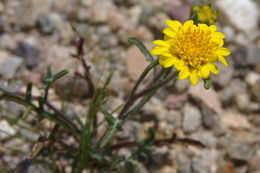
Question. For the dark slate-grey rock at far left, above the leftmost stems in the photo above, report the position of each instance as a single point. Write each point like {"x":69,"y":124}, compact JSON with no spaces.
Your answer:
{"x":30,"y":53}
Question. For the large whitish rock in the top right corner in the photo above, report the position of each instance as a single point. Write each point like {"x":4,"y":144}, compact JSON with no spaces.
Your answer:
{"x":246,"y":12}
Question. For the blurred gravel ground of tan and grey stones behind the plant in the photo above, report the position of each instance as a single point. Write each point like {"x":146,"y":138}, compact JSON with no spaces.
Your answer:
{"x":226,"y":118}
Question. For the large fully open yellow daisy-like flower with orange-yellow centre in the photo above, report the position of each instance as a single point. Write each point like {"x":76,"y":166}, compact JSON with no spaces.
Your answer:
{"x":191,"y":49}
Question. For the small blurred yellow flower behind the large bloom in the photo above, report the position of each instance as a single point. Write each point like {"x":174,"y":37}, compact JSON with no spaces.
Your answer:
{"x":205,"y":14}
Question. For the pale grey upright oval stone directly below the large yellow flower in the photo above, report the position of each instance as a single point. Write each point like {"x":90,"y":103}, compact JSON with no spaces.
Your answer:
{"x":191,"y":118}
